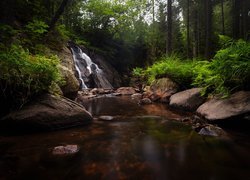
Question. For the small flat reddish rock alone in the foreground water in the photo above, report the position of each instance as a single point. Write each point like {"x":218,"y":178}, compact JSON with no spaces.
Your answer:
{"x":65,"y":150}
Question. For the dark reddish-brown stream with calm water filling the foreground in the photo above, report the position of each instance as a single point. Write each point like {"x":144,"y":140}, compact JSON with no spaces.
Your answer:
{"x":140,"y":142}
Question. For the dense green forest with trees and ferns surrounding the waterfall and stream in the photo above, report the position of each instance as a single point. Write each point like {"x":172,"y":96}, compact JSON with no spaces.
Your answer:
{"x":197,"y":43}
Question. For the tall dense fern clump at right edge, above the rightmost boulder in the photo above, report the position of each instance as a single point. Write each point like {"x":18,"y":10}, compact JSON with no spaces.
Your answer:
{"x":228,"y":71}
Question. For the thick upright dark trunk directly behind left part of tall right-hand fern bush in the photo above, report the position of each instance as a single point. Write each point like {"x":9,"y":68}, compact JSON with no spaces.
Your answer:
{"x":208,"y":33}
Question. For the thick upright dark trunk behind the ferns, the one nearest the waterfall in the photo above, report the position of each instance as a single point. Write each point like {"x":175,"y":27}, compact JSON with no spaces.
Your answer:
{"x":169,"y":28}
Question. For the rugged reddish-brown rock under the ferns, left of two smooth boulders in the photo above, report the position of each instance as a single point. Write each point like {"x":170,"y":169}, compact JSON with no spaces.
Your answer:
{"x":161,"y":90}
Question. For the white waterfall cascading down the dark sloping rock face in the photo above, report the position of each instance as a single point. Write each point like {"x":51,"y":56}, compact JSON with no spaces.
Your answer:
{"x":88,"y":72}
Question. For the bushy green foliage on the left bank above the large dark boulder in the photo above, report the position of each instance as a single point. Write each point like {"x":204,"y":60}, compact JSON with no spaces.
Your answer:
{"x":23,"y":75}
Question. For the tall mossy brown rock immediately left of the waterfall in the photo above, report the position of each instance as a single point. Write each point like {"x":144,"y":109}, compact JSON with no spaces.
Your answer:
{"x":67,"y":68}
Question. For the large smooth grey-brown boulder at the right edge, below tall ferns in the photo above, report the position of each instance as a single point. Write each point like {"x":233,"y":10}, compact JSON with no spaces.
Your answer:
{"x":220,"y":109}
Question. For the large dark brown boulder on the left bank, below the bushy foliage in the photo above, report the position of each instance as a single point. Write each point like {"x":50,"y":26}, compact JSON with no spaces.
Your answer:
{"x":45,"y":113}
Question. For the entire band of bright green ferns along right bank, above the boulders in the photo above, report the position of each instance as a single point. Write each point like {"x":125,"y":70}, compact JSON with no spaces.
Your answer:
{"x":227,"y":72}
